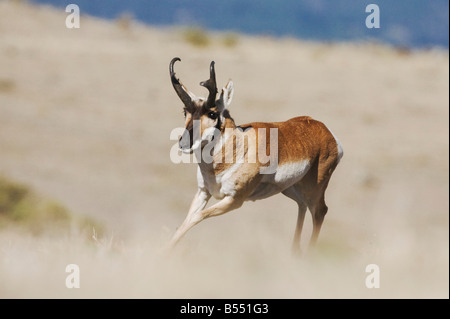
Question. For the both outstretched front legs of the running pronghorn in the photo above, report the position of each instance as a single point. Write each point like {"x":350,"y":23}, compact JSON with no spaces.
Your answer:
{"x":196,"y":216}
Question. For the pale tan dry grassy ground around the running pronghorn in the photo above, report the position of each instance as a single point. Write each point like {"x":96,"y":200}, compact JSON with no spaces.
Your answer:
{"x":85,"y":118}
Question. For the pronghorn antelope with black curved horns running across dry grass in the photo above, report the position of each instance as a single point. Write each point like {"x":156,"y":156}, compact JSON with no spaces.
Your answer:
{"x":306,"y":155}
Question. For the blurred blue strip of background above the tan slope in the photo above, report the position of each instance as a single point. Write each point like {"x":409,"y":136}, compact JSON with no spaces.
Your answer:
{"x":416,"y":23}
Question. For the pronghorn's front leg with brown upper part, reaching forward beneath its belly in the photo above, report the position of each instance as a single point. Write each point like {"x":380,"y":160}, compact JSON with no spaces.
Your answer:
{"x":225,"y":205}
